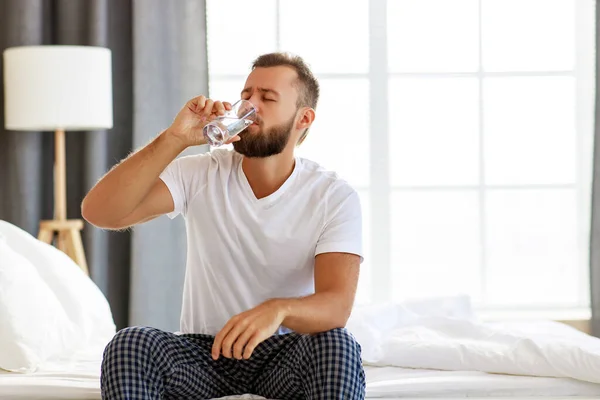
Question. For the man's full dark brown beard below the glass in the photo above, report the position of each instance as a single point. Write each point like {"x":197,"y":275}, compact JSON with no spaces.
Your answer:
{"x":265,"y":144}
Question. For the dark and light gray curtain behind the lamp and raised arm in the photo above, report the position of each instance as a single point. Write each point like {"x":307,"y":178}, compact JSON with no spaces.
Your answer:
{"x":159,"y":61}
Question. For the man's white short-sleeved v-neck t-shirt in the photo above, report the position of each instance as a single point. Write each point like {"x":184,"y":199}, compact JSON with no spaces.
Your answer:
{"x":242,"y":250}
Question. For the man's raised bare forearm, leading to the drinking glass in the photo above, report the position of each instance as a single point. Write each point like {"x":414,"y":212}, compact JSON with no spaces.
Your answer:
{"x":122,"y":189}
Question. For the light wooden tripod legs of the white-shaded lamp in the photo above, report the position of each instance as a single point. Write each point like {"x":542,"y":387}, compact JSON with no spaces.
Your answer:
{"x":68,"y":238}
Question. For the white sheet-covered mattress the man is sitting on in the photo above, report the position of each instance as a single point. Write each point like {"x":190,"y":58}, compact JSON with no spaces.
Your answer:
{"x":80,"y":380}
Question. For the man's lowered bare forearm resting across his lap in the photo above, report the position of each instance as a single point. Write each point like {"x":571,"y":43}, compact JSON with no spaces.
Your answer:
{"x":319,"y":312}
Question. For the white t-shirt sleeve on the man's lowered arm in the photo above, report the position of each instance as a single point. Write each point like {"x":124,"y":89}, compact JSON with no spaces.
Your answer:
{"x":342,"y":232}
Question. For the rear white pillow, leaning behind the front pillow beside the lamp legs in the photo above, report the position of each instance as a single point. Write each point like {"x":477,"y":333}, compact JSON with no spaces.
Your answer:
{"x":83,"y":302}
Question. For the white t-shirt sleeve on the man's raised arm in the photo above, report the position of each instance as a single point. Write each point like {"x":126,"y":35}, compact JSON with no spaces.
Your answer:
{"x":184,"y":179}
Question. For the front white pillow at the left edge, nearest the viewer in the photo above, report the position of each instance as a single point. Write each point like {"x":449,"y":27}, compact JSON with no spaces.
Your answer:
{"x":33,"y":325}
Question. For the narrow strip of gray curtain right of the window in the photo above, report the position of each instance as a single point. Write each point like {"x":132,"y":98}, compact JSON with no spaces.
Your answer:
{"x":595,"y":226}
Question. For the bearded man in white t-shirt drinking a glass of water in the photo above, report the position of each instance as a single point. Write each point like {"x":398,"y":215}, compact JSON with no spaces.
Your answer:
{"x":274,"y":248}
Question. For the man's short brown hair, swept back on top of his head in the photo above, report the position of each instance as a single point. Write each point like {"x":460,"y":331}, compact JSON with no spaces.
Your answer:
{"x":307,"y":84}
